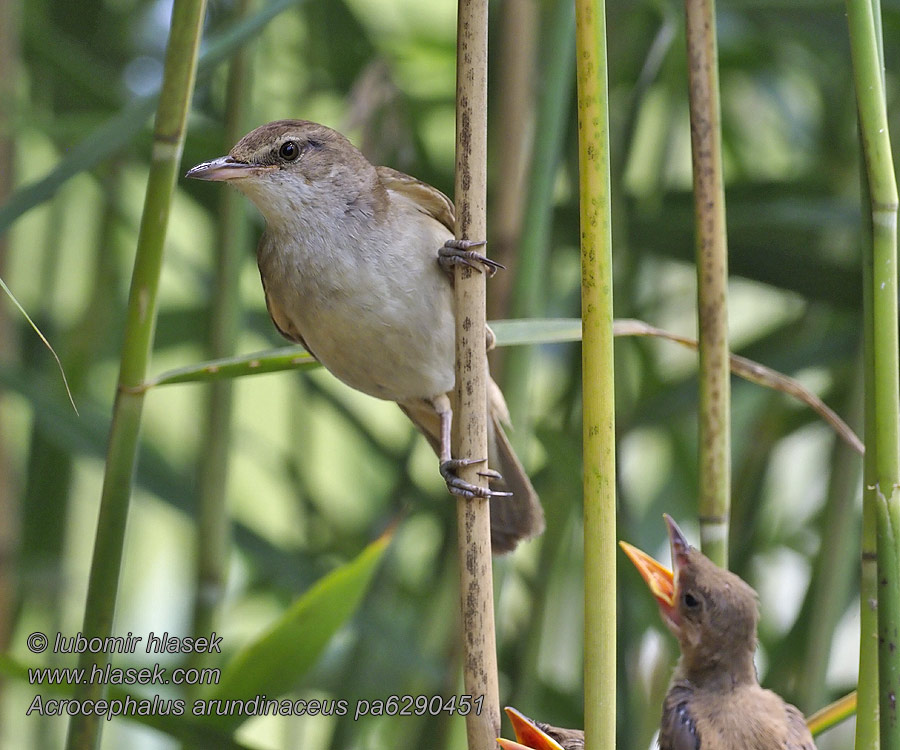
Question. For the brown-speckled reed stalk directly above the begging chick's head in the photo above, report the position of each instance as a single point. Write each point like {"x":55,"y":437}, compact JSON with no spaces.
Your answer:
{"x":712,"y":280}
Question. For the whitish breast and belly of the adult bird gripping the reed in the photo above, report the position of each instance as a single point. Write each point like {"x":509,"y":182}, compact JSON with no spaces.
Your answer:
{"x":369,"y":299}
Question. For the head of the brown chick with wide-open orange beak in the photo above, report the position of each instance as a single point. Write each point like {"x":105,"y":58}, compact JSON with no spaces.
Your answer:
{"x":711,"y":611}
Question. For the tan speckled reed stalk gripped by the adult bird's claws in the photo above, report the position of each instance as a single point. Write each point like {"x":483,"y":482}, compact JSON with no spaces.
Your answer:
{"x":470,"y":419}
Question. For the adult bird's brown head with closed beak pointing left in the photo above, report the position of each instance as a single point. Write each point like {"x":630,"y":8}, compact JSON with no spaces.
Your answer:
{"x":289,"y":167}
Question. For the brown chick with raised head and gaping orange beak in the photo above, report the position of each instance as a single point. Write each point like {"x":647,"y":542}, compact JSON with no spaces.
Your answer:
{"x":714,"y":701}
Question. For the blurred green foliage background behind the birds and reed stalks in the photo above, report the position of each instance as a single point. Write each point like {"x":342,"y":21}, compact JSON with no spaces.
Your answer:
{"x":317,"y":471}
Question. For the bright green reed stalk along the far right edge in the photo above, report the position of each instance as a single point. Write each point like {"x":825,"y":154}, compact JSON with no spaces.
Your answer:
{"x":882,"y":475}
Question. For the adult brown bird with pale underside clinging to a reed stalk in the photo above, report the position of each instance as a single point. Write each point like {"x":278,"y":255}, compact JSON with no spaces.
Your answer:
{"x":354,"y":264}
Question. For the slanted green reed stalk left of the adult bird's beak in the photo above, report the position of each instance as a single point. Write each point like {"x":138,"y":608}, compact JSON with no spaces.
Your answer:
{"x":168,"y":141}
